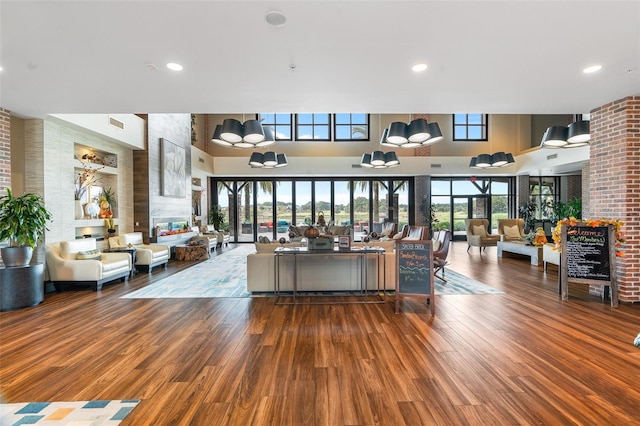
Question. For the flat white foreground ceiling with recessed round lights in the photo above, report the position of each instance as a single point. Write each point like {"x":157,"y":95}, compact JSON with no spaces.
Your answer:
{"x":350,"y":56}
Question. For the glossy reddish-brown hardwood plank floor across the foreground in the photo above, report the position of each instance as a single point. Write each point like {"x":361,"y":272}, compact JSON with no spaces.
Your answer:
{"x":522,"y":357}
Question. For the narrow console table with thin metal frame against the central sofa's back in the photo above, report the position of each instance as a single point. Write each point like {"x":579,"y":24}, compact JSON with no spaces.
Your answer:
{"x":332,"y":271}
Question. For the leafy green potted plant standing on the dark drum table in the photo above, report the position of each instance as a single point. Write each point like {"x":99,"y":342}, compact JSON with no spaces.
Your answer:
{"x":23,"y":221}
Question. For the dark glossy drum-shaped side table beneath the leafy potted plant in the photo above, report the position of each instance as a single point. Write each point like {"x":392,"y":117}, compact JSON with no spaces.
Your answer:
{"x":21,"y":286}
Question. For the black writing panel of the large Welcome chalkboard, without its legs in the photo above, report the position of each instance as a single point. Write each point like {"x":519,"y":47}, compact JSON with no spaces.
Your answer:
{"x":587,"y":253}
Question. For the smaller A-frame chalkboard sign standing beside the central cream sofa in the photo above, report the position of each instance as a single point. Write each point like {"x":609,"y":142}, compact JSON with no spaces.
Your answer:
{"x":414,"y":270}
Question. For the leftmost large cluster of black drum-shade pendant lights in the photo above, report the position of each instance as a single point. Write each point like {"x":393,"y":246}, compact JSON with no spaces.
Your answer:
{"x":250,"y":134}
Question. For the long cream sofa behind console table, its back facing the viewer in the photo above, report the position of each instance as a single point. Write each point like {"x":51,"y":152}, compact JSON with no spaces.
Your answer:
{"x":317,"y":272}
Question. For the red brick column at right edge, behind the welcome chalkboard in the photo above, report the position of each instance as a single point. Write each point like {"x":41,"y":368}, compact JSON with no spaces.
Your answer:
{"x":614,"y":182}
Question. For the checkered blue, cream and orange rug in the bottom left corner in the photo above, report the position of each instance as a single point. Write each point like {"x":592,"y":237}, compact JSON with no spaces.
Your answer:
{"x":78,"y":413}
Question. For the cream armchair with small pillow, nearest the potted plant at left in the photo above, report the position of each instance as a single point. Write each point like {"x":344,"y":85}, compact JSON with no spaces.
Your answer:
{"x":64,"y":266}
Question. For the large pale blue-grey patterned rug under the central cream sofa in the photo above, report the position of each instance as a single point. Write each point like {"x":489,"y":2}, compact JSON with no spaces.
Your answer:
{"x":225,"y":275}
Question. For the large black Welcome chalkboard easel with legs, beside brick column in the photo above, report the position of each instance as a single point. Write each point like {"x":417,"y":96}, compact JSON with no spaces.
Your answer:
{"x":588,"y":256}
